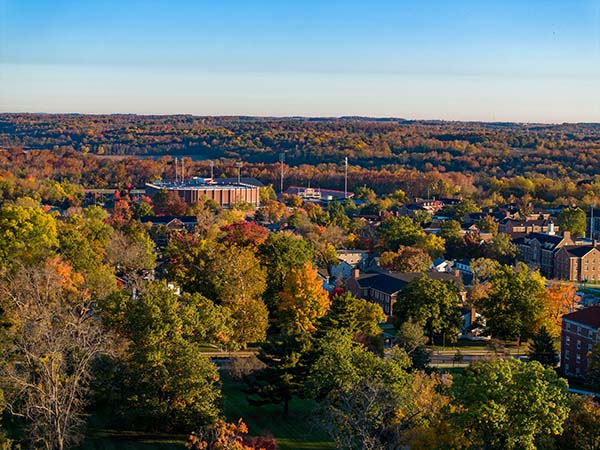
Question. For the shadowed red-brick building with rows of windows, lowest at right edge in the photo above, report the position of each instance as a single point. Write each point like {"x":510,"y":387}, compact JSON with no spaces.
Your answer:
{"x":579,"y":334}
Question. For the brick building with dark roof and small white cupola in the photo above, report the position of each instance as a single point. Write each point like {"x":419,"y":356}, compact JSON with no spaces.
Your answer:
{"x":538,"y":250}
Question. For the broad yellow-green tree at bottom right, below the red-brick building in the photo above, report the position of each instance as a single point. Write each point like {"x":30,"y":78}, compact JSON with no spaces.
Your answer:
{"x":508,"y":404}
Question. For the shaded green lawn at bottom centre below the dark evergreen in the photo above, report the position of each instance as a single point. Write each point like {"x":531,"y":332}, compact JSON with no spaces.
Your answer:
{"x":295,"y":432}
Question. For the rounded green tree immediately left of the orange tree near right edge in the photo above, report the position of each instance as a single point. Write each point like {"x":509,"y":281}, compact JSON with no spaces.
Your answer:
{"x":513,"y":304}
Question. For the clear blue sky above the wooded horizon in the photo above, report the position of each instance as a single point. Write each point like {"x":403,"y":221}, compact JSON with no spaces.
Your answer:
{"x":461,"y":60}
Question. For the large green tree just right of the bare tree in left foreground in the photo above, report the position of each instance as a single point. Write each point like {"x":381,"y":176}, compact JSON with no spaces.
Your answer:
{"x":166,"y":382}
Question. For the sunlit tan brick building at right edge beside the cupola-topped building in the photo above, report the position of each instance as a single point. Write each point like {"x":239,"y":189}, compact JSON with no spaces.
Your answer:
{"x":578,"y":263}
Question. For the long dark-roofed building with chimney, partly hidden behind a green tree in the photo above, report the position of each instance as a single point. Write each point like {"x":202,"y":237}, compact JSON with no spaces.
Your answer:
{"x":383,"y":287}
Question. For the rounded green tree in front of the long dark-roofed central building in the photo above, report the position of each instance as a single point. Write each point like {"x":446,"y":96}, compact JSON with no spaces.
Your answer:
{"x":433,"y":304}
